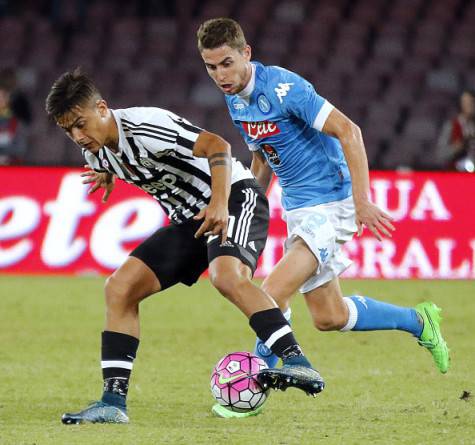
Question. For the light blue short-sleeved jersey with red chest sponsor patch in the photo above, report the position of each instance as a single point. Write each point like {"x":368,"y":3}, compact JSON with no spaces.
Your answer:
{"x":283,"y":117}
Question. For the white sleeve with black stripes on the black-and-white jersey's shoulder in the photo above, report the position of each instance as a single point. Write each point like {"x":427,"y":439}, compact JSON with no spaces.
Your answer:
{"x":161,"y":130}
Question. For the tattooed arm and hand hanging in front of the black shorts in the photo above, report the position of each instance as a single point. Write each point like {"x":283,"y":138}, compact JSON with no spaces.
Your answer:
{"x":218,"y":152}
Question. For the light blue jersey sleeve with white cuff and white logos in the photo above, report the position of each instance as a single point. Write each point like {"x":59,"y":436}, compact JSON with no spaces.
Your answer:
{"x":300,"y":99}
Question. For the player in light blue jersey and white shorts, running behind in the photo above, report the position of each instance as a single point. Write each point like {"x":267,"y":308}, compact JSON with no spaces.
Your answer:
{"x":318,"y":156}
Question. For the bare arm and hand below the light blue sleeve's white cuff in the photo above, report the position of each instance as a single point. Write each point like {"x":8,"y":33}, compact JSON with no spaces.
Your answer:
{"x":350,"y":137}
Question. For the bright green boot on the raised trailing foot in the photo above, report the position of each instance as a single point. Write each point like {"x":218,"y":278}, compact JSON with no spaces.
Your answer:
{"x":431,"y":337}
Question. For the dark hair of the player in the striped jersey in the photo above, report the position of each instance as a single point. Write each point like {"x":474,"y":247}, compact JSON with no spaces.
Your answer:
{"x":71,"y":89}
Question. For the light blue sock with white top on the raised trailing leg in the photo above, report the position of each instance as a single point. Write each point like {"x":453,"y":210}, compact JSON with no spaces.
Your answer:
{"x":366,"y":314}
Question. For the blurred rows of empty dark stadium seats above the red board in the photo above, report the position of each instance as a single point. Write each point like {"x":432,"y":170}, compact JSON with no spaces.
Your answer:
{"x":396,"y":67}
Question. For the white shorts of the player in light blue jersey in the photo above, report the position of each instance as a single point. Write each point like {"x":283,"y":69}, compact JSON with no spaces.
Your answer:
{"x":324,"y":228}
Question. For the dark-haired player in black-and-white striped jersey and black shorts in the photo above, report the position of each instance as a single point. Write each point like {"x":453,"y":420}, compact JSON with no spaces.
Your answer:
{"x":219,"y":219}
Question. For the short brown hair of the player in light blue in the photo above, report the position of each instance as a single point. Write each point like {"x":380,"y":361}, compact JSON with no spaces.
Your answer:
{"x":221,"y":31}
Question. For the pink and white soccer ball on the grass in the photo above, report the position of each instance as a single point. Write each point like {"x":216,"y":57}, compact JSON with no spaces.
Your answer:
{"x":234,"y":384}
